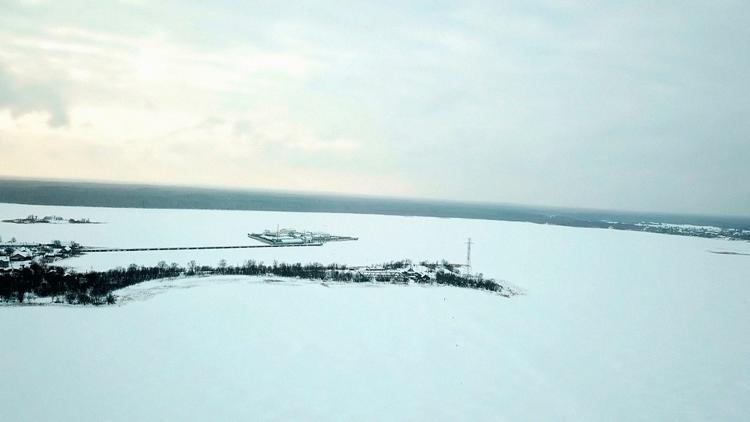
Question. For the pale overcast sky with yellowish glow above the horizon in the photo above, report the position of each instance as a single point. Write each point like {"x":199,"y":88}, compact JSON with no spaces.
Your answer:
{"x":626,"y":105}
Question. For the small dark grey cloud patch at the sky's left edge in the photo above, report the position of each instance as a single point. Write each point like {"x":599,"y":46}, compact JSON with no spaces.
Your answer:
{"x":22,"y":97}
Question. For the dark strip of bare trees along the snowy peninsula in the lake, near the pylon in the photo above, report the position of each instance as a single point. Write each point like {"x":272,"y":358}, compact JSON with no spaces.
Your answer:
{"x":96,"y":287}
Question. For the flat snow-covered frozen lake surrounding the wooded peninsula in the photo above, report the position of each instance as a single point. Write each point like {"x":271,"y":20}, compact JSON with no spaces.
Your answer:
{"x":614,"y":325}
